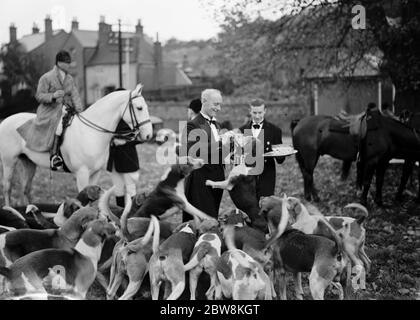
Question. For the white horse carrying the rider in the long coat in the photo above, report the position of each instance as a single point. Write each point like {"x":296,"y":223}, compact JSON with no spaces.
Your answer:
{"x":85,"y":148}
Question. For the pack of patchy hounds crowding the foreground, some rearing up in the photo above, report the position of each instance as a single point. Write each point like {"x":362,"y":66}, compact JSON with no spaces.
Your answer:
{"x":86,"y":240}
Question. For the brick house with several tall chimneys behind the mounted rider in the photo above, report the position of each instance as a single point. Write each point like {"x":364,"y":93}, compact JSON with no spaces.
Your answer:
{"x":96,"y":58}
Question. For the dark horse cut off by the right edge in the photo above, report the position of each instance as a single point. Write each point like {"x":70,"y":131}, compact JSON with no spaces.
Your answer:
{"x":386,"y":139}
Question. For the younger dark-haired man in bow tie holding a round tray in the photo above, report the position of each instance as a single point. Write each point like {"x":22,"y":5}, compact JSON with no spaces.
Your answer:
{"x":259,"y":128}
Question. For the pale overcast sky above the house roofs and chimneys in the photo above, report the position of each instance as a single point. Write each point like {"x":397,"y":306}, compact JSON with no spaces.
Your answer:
{"x":182,"y":19}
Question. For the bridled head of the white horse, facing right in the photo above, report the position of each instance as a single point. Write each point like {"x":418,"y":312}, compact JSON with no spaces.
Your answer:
{"x":136,"y":115}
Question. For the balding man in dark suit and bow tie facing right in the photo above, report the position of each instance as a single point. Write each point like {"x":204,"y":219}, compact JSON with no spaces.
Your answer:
{"x":211,"y":146}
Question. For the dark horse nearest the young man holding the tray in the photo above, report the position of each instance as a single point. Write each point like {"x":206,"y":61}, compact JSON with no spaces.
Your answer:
{"x":315,"y":136}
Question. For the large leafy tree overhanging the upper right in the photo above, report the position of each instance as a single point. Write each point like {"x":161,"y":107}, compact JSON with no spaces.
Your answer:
{"x":333,"y":36}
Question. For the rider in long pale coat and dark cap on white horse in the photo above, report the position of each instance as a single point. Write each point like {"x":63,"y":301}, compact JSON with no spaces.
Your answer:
{"x":56,"y":89}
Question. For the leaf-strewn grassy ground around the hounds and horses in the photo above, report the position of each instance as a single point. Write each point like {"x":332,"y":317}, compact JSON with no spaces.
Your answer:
{"x":393,"y":233}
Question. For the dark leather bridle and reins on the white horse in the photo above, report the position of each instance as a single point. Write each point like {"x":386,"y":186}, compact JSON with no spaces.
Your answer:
{"x":128,"y":135}
